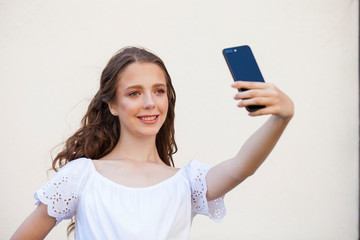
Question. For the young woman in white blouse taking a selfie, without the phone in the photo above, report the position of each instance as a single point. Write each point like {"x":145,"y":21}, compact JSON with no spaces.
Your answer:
{"x":117,"y":175}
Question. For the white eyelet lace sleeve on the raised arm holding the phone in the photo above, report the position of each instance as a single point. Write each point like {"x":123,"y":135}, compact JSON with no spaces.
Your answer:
{"x":215,"y":209}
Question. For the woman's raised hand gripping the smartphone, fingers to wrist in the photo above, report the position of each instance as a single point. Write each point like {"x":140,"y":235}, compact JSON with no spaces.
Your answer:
{"x":267,"y":94}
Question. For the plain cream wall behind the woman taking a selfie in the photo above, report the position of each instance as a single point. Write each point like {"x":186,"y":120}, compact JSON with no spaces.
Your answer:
{"x":52,"y":54}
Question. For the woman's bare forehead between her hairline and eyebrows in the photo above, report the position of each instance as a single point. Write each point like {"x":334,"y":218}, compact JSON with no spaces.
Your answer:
{"x":142,"y":74}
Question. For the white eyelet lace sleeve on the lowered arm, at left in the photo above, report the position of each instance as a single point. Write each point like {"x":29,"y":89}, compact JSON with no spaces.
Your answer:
{"x":61,"y":193}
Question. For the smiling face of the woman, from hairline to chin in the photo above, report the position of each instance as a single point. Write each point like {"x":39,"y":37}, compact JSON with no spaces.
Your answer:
{"x":141,"y":101}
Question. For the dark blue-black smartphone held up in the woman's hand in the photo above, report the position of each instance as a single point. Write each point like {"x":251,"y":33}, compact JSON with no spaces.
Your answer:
{"x":243,"y":67}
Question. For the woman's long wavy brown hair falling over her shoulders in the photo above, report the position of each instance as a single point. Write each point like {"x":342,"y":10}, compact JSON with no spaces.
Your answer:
{"x":100,"y":130}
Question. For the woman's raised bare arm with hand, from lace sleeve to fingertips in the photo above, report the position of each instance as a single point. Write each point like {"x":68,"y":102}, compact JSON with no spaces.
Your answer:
{"x":230,"y":173}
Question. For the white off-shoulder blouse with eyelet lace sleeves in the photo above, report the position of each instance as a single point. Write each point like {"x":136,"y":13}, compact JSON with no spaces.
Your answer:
{"x":104,"y":209}
